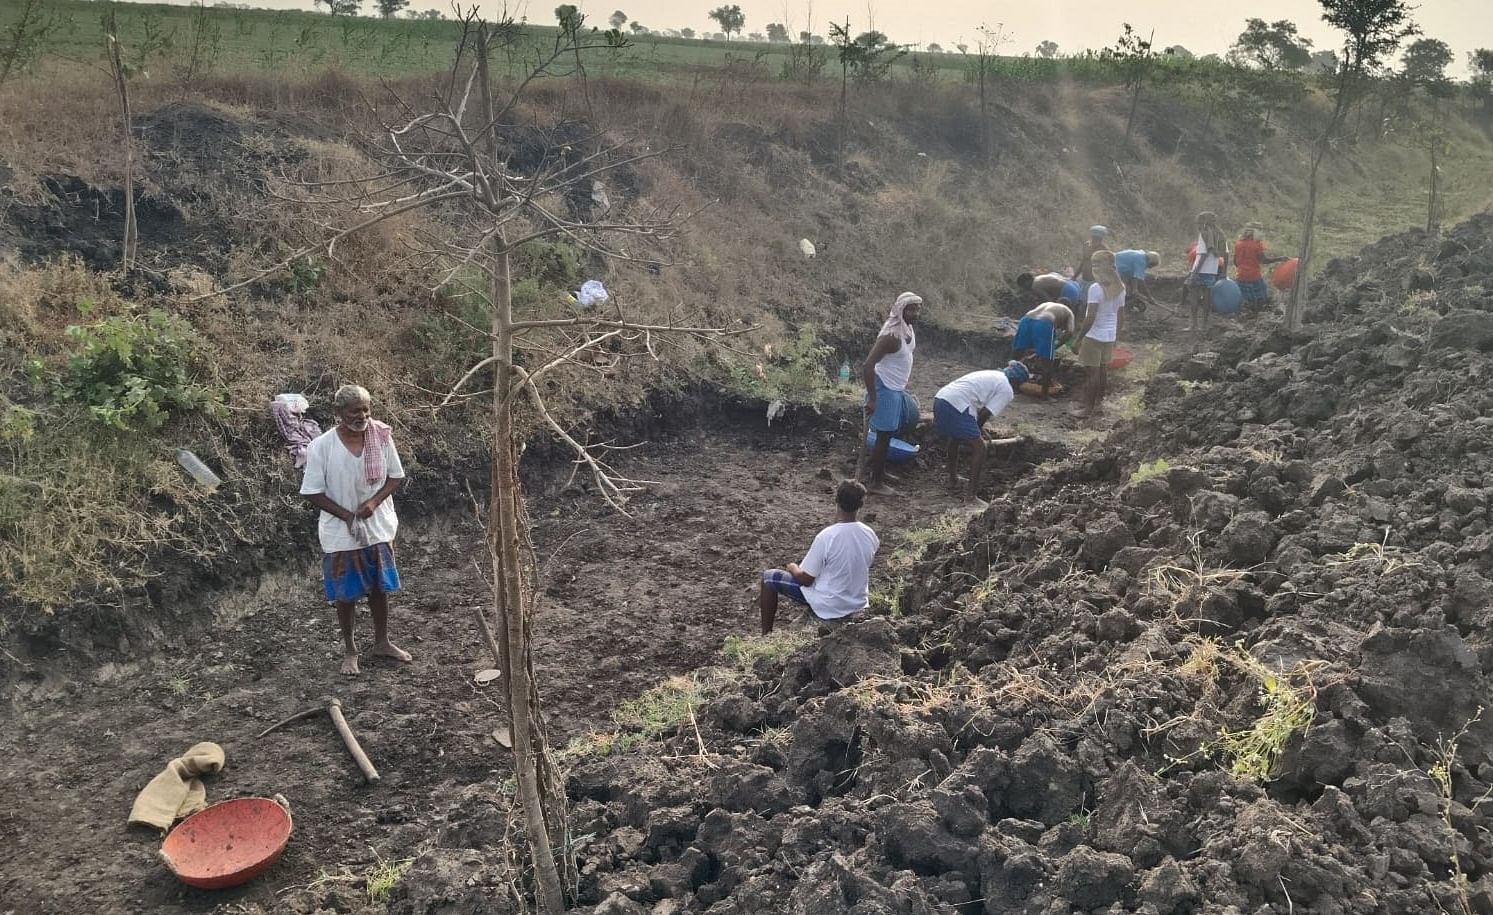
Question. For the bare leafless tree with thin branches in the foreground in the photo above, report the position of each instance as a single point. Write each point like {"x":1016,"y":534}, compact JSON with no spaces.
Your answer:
{"x":490,"y":184}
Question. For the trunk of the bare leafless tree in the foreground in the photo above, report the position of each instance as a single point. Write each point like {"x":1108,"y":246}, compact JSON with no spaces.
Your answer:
{"x":508,"y":540}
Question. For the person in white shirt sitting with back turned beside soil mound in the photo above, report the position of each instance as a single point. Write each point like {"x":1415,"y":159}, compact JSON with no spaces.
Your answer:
{"x":834,"y":581}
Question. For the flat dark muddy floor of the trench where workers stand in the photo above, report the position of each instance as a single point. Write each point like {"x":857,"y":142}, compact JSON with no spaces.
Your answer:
{"x":628,"y":604}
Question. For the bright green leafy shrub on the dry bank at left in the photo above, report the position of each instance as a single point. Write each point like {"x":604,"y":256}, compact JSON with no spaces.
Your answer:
{"x":138,"y":371}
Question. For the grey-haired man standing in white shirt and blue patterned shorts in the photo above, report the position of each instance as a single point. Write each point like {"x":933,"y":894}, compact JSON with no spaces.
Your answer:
{"x":352,"y":472}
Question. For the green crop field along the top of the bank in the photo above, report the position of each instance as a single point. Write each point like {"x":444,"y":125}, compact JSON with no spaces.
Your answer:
{"x":162,"y":38}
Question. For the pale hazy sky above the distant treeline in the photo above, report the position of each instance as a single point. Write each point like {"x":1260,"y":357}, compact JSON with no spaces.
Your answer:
{"x":1074,"y":25}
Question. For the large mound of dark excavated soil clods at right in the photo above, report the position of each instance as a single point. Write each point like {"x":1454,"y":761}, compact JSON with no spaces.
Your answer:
{"x":1234,"y":662}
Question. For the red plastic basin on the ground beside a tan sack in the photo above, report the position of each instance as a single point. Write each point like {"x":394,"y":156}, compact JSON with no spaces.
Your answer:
{"x":228,"y":844}
